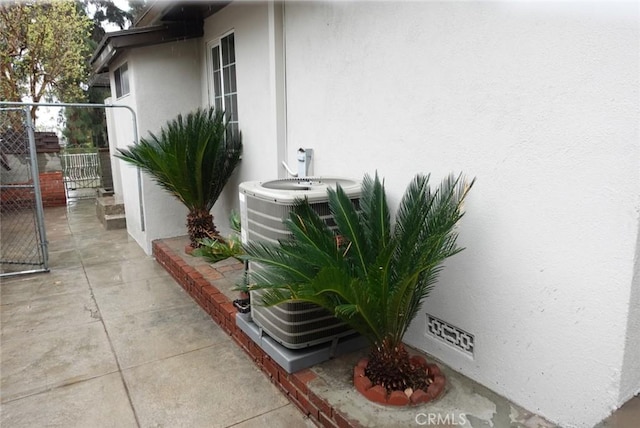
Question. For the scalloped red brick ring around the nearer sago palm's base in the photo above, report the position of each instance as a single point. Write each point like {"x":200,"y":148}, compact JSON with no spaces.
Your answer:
{"x":380,"y":395}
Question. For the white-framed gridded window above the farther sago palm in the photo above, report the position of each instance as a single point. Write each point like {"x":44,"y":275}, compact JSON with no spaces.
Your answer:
{"x":227,"y":93}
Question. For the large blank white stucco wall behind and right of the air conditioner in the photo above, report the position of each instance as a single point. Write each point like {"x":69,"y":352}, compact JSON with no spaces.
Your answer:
{"x":539,"y":101}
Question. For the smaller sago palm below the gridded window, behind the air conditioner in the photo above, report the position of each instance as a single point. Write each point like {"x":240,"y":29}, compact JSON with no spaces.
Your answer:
{"x":193,"y":158}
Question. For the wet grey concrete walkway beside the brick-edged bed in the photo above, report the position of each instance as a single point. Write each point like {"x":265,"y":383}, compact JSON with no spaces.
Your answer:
{"x":108,"y":339}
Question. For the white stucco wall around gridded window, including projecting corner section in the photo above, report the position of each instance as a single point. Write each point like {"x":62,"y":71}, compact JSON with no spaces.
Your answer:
{"x":170,"y":78}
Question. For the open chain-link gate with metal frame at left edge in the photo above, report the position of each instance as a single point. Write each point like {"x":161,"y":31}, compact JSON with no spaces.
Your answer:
{"x":23,"y":244}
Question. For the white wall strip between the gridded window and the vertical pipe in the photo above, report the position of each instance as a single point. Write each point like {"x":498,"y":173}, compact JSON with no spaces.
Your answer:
{"x":257,"y":108}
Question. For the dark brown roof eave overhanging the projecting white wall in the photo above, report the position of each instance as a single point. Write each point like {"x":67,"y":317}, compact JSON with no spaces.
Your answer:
{"x":161,"y":22}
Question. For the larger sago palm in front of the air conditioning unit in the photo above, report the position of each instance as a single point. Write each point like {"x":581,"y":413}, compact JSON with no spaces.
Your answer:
{"x":368,"y":273}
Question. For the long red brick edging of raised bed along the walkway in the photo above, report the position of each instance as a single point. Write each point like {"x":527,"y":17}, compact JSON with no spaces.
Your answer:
{"x":218,"y":306}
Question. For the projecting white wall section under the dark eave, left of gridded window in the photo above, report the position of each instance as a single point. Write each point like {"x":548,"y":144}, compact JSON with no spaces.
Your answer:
{"x":164,"y":81}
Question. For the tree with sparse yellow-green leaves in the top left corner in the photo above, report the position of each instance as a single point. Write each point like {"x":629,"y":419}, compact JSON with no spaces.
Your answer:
{"x":43,"y":51}
